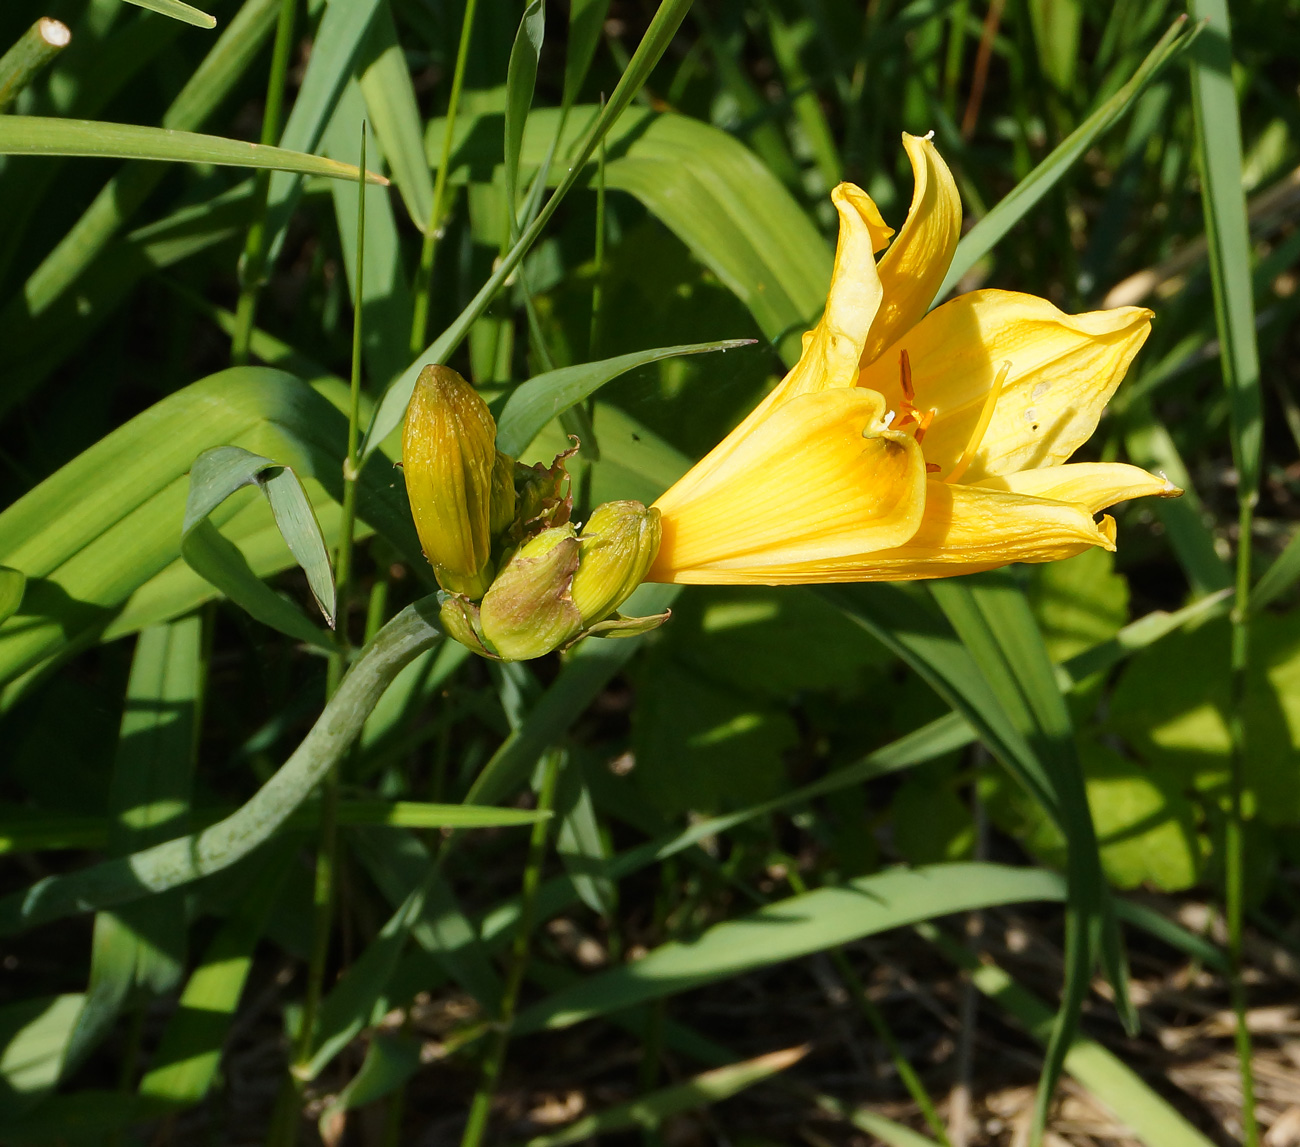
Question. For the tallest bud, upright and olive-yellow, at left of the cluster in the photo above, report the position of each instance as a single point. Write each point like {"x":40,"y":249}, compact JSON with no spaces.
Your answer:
{"x":449,"y":455}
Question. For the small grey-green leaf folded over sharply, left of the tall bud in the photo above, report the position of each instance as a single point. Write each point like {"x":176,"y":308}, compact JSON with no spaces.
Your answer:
{"x":216,"y":475}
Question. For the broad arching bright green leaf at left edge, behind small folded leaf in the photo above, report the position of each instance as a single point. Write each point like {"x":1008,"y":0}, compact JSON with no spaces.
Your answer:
{"x":103,"y":526}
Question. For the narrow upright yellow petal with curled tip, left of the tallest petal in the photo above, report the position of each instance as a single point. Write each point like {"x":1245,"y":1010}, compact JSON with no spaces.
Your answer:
{"x":831,"y":349}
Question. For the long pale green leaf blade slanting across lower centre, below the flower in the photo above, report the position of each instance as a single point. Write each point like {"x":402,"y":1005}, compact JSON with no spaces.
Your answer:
{"x":790,"y":929}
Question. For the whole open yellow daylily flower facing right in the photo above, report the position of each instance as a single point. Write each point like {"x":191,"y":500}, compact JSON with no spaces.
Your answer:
{"x":907,"y":444}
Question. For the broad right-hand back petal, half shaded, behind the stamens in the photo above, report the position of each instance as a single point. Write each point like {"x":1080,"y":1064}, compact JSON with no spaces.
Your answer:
{"x":1064,"y":371}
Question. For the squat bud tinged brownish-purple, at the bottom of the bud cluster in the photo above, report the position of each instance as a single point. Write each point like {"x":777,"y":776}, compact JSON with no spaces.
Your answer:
{"x":528,"y":612}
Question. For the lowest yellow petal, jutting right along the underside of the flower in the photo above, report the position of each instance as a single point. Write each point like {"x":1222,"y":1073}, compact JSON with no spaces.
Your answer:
{"x":967,"y":530}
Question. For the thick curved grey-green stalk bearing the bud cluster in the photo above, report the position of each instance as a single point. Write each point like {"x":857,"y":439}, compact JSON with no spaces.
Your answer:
{"x":202,"y":854}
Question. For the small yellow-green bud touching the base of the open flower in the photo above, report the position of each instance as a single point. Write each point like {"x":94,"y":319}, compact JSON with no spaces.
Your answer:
{"x":619,"y":544}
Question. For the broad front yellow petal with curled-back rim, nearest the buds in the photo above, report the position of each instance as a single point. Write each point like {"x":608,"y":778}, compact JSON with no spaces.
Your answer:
{"x":821,"y":482}
